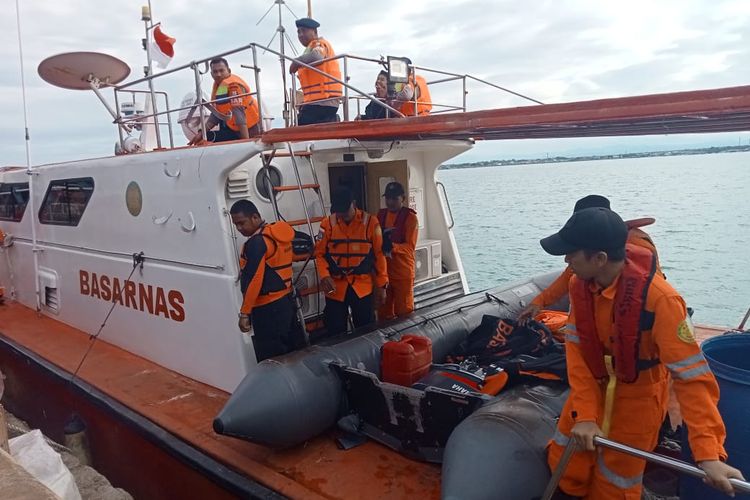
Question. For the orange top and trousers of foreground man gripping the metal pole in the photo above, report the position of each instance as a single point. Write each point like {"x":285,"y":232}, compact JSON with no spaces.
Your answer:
{"x":639,"y":408}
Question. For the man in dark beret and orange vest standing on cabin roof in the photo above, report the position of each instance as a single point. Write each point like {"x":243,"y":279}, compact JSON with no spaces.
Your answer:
{"x":321,"y":91}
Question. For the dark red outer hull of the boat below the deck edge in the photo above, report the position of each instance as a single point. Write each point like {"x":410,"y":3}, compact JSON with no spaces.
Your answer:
{"x":133,"y":452}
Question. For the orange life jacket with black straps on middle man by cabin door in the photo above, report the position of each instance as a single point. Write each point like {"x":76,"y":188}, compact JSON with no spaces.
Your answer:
{"x":350,"y":255}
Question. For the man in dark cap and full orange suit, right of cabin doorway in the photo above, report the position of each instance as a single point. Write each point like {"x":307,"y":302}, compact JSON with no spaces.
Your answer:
{"x":399,"y":225}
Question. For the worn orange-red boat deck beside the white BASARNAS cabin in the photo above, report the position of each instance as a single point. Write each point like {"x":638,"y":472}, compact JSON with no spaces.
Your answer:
{"x":186,"y":408}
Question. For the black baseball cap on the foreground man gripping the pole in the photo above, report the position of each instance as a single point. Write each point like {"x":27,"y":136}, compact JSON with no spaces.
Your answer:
{"x":595,"y":228}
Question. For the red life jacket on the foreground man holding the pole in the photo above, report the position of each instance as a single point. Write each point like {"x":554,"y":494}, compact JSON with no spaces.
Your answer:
{"x":631,"y":318}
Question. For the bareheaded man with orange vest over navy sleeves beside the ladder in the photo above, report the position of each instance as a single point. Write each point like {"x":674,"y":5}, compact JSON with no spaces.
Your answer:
{"x":266,"y":281}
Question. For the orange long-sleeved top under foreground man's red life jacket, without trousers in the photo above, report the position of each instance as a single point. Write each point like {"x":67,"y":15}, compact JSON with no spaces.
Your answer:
{"x":671,"y":340}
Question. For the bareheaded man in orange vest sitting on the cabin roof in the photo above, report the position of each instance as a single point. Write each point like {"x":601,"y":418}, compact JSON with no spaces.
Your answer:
{"x":240,"y":115}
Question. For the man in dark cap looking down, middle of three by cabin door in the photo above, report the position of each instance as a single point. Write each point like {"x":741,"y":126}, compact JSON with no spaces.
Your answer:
{"x":351,"y":264}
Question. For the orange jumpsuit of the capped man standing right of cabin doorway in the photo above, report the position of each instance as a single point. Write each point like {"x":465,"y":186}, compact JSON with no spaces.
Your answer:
{"x":399,"y":299}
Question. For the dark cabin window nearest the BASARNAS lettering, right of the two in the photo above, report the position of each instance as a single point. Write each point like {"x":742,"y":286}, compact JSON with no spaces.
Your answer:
{"x":65,"y":201}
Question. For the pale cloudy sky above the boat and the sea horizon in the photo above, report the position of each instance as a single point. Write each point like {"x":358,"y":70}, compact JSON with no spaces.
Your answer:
{"x":552,"y":50}
